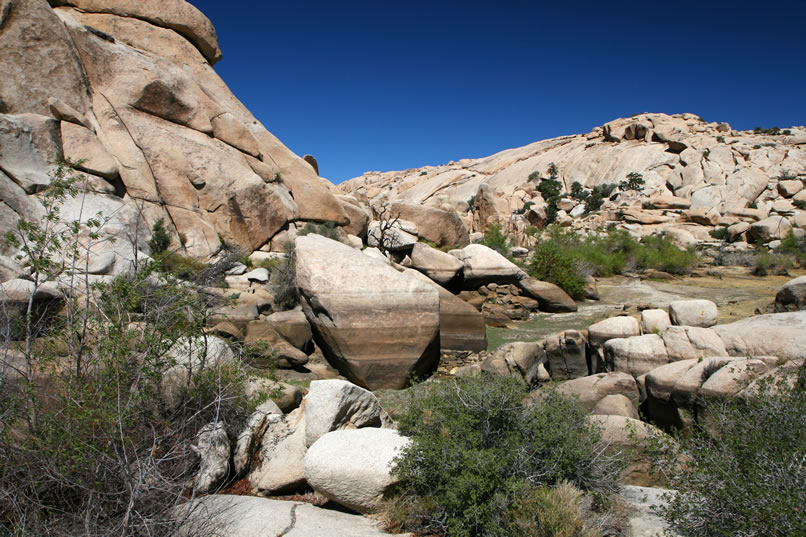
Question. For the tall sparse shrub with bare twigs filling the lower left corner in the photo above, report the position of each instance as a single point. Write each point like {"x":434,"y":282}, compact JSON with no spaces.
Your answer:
{"x":89,"y":442}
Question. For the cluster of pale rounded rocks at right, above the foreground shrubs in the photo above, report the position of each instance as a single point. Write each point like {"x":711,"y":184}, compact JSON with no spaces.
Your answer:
{"x":668,"y":362}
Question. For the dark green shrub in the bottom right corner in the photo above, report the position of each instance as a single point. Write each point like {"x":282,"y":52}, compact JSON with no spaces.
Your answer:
{"x":744,"y":474}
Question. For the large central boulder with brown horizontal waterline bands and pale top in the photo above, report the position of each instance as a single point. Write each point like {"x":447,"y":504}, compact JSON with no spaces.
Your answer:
{"x":377,"y":326}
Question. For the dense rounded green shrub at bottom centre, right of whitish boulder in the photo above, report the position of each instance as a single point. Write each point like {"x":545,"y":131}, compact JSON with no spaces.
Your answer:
{"x":477,"y":451}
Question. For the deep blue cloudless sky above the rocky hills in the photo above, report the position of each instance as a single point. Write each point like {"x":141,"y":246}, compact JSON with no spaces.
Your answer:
{"x":381,"y":85}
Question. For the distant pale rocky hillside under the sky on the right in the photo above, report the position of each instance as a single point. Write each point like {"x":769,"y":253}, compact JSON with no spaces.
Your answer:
{"x":696,"y":174}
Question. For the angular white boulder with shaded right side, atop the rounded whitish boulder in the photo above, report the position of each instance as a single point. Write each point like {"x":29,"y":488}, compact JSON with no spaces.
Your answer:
{"x":338,"y":404}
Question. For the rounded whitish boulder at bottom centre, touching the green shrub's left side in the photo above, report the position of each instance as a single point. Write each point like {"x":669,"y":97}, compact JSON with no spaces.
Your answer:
{"x":353,"y":467}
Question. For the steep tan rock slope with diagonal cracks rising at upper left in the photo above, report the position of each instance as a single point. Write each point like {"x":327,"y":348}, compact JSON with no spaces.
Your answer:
{"x":127,"y":88}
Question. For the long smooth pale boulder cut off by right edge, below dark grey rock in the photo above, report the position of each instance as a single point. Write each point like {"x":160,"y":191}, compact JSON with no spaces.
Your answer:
{"x":774,"y":334}
